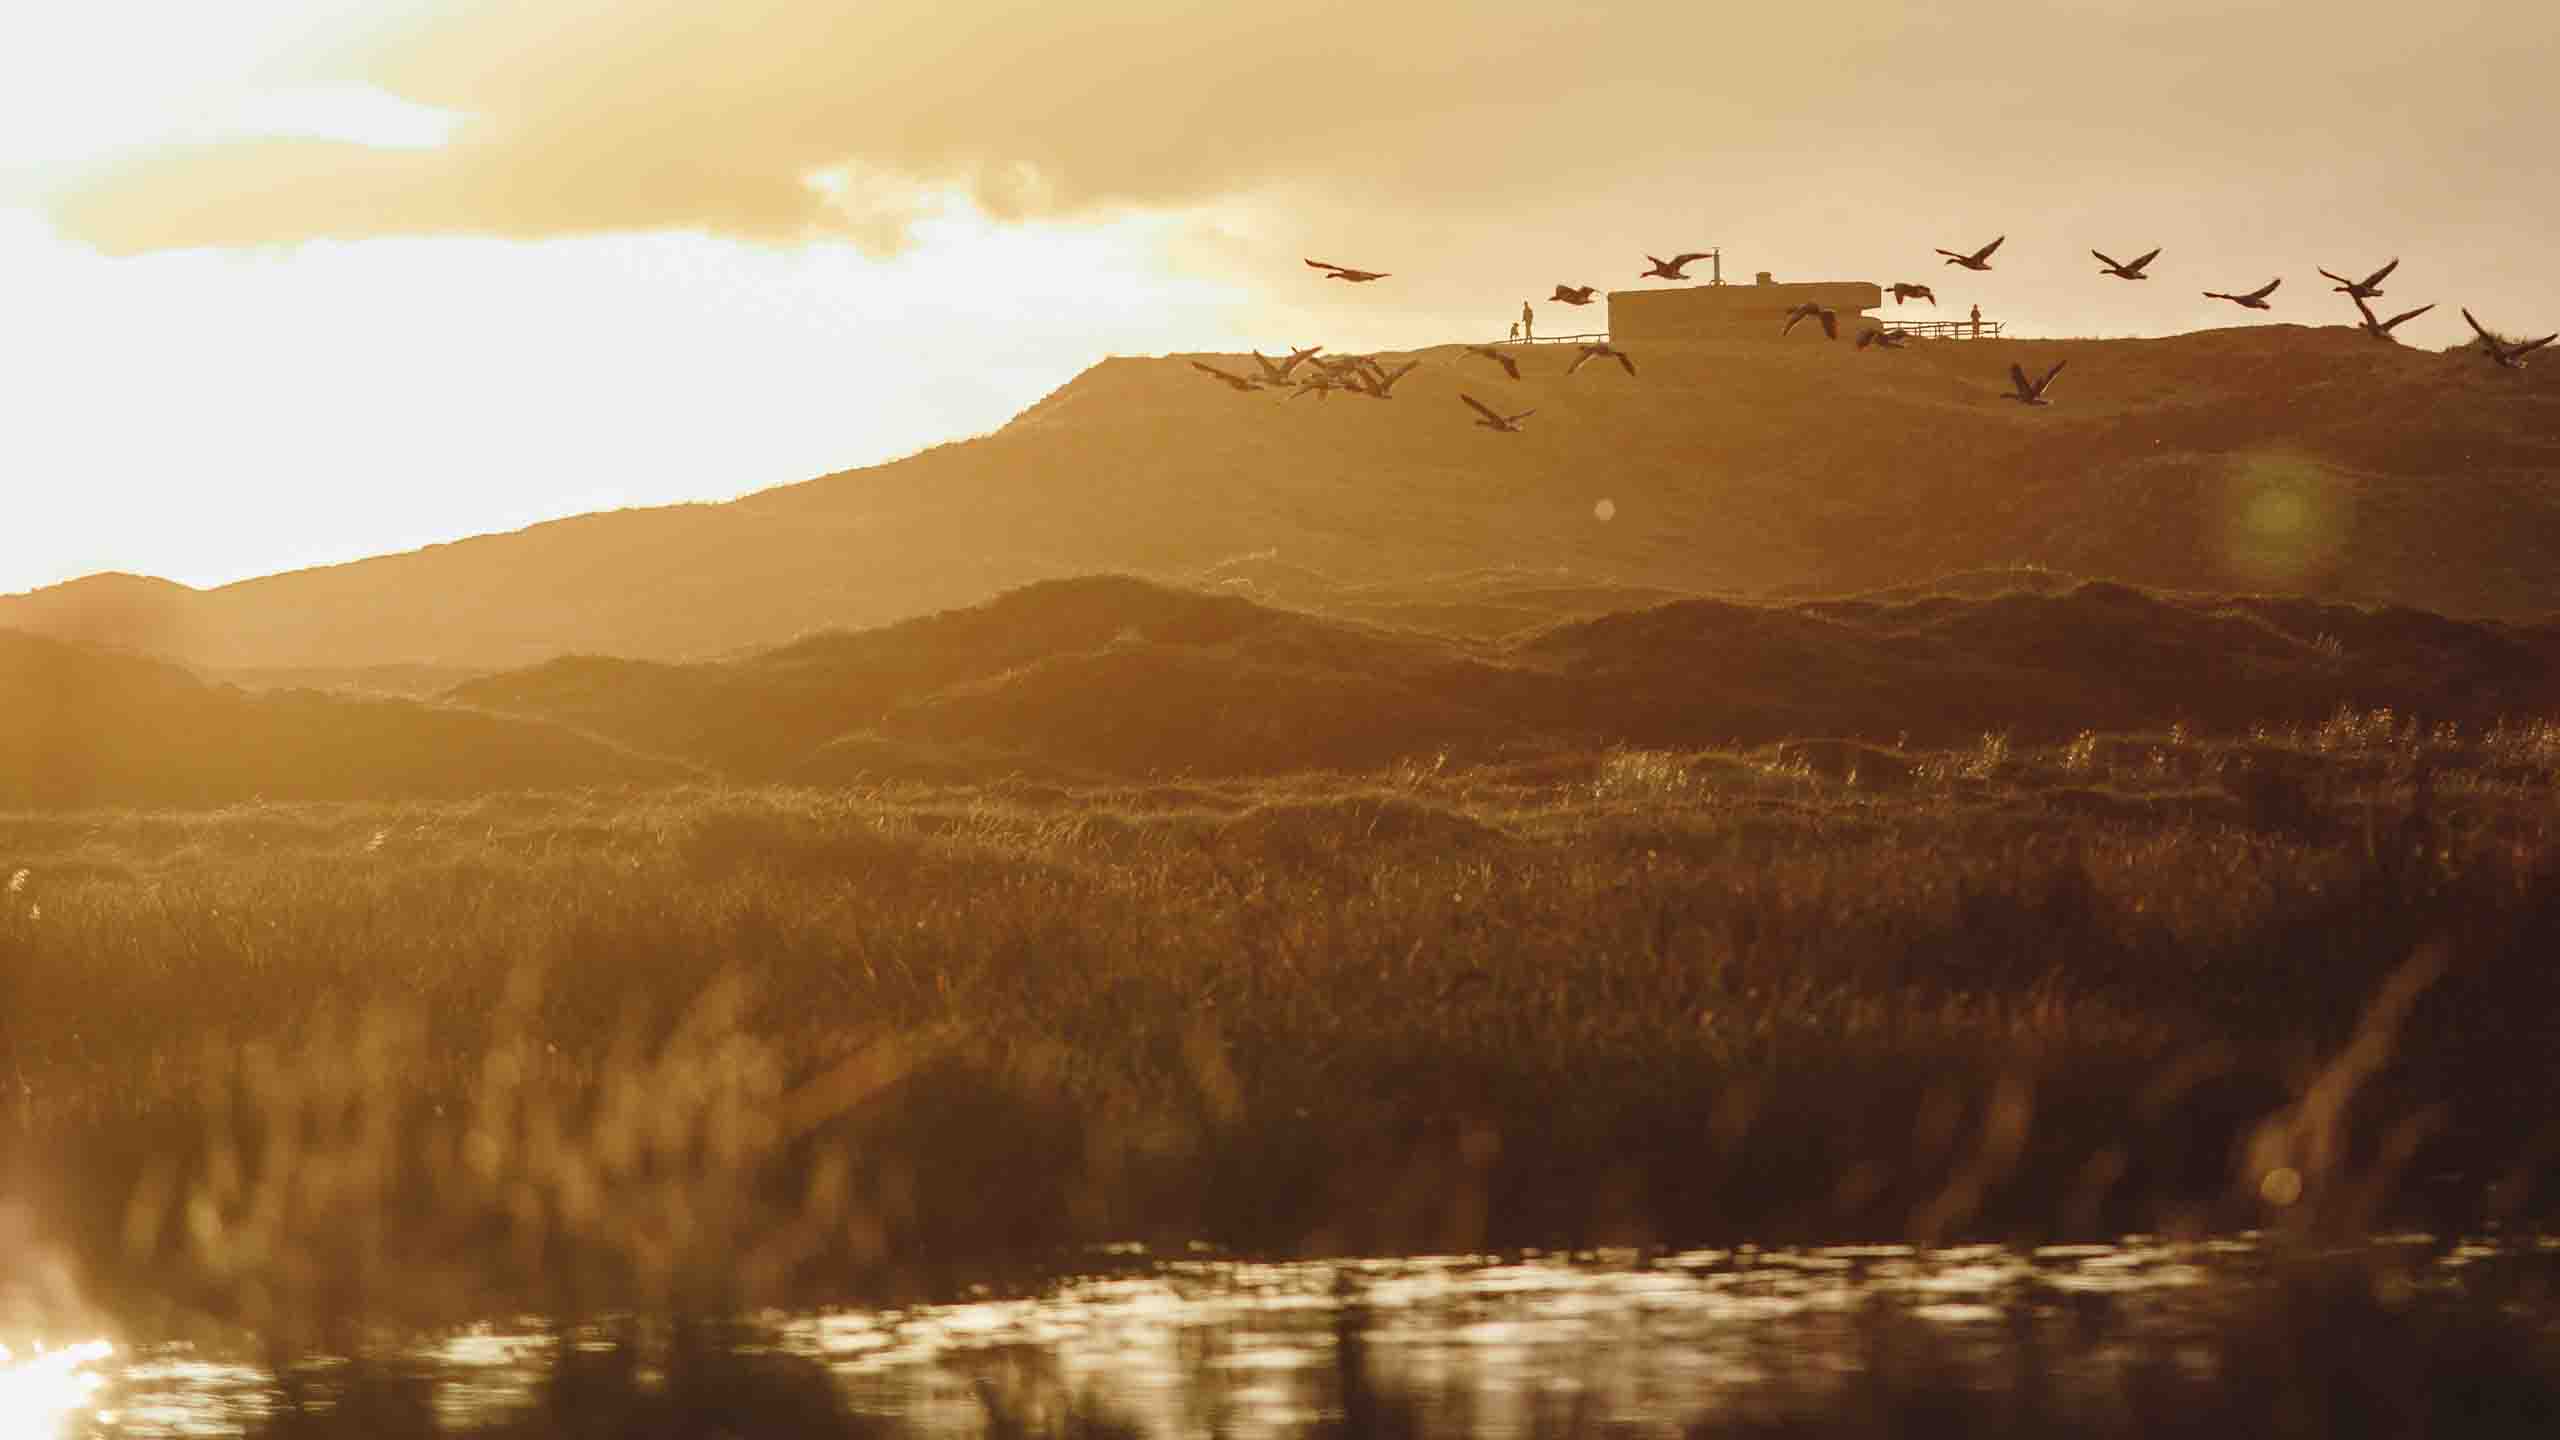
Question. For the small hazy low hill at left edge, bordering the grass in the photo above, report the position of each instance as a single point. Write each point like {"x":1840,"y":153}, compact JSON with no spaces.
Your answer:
{"x":88,"y":729}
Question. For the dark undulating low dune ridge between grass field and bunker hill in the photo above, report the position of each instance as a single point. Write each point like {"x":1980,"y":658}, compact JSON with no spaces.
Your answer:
{"x":1120,"y":678}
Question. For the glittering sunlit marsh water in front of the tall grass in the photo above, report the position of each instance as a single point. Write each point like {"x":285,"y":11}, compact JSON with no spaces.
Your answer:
{"x":1484,"y":1344}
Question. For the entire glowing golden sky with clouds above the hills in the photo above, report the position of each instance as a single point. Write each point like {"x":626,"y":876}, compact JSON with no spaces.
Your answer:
{"x":298,"y":281}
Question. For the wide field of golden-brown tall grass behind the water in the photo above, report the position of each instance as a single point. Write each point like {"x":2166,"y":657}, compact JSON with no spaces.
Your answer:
{"x":329,"y":1067}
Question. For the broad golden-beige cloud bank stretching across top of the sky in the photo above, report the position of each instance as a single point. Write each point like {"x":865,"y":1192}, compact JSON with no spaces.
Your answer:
{"x":782,"y":119}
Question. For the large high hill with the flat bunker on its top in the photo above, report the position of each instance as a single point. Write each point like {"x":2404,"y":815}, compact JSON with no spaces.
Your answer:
{"x":2249,"y":460}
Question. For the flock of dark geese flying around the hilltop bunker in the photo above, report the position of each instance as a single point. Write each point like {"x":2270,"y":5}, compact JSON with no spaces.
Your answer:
{"x":1366,"y":375}
